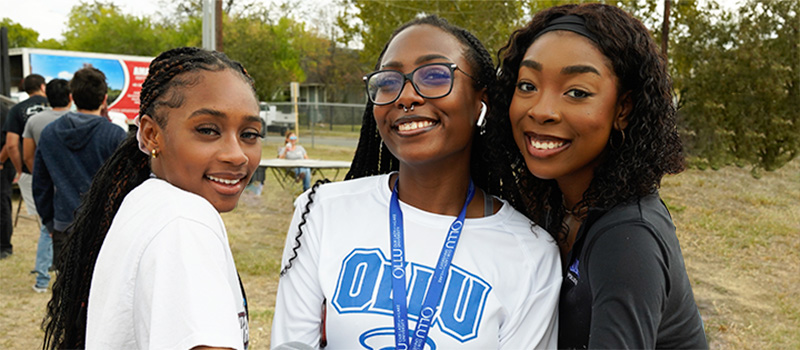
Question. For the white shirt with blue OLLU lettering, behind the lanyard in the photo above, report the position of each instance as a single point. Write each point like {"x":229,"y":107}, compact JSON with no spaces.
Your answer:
{"x":501,"y":293}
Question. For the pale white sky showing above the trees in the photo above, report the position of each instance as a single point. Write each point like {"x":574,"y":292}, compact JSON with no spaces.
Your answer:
{"x":49,"y":17}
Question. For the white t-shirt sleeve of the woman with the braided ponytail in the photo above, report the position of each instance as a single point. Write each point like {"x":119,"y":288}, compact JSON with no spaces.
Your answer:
{"x":183,"y":295}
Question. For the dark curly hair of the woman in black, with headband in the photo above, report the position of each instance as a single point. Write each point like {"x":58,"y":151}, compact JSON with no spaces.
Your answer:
{"x":650,"y":147}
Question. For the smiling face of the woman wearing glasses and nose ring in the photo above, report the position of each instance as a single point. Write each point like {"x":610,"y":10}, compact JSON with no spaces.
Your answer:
{"x":439,"y":130}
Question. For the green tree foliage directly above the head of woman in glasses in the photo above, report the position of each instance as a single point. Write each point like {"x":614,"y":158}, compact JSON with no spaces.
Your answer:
{"x":490,"y":21}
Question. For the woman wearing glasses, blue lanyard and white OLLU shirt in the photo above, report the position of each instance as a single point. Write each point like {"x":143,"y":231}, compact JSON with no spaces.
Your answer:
{"x":411,"y":252}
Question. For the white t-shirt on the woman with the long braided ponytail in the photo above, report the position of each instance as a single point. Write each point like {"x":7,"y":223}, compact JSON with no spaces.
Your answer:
{"x":165,"y":277}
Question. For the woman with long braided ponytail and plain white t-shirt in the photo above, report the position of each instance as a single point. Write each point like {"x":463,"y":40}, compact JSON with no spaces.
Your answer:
{"x":148,"y":260}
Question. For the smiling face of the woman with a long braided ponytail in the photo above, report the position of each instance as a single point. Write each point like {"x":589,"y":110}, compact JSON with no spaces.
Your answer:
{"x":210,"y":145}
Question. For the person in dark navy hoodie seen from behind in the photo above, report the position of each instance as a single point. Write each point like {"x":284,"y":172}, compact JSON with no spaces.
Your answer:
{"x":70,"y":151}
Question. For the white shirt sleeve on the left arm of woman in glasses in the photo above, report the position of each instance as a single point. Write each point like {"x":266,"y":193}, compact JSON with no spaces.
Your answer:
{"x":298,"y":306}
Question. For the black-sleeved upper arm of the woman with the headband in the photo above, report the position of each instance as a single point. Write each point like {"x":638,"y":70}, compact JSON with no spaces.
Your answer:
{"x":628,"y":273}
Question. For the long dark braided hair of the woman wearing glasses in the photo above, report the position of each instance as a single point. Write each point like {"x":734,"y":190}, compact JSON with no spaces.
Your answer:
{"x":372,"y":157}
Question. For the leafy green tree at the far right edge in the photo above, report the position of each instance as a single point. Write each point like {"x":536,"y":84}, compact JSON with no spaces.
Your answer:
{"x":738,"y":80}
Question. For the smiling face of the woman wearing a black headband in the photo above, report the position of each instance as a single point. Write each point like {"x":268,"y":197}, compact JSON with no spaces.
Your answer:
{"x":564,"y":107}
